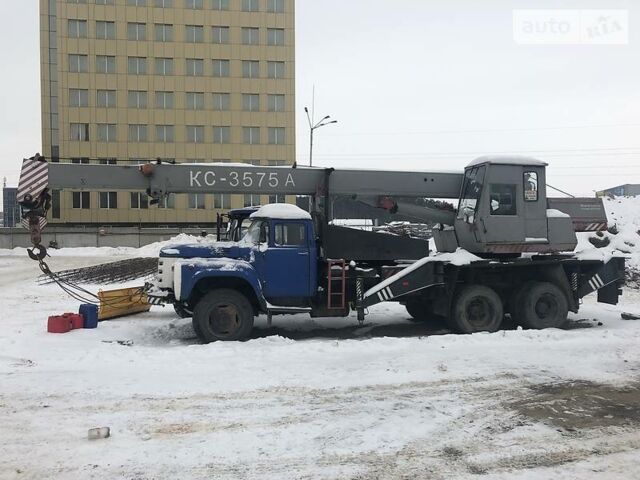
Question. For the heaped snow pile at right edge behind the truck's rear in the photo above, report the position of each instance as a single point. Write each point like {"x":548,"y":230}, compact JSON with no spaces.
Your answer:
{"x":623,"y":236}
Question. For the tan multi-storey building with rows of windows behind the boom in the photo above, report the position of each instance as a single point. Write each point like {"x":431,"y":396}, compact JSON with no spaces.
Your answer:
{"x":126,"y":81}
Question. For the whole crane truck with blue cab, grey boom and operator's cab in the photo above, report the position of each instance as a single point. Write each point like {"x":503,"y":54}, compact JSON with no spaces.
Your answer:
{"x":505,"y":250}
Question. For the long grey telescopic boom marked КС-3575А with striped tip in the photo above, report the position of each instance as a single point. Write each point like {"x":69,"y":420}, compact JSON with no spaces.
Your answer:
{"x":39,"y":177}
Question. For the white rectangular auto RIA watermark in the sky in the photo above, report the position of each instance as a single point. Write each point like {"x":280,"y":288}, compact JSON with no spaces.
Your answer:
{"x":571,"y":27}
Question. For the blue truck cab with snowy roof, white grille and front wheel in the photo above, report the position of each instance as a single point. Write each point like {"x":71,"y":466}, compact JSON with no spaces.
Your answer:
{"x":223,"y":285}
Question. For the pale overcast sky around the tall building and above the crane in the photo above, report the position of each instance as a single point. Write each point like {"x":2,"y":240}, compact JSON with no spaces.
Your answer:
{"x":418,"y":85}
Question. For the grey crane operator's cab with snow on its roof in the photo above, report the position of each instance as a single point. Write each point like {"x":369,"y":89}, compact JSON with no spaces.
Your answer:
{"x":503,"y":210}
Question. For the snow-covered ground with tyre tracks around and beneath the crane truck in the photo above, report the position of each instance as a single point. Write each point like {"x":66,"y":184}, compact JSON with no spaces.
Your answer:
{"x":315,"y":398}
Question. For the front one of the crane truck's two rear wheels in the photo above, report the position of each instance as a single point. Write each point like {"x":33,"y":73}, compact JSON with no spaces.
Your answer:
{"x":476,"y":308}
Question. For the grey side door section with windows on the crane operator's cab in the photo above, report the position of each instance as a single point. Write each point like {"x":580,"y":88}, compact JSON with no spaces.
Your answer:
{"x":513,"y":210}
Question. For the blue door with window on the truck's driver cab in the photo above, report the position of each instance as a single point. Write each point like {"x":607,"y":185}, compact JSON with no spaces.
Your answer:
{"x":288,"y":260}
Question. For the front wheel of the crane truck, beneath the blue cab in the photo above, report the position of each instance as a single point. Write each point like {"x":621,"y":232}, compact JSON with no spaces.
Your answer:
{"x":224,"y":315}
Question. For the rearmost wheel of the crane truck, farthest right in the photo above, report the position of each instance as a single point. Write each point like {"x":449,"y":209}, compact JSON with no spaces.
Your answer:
{"x":541,"y":305}
